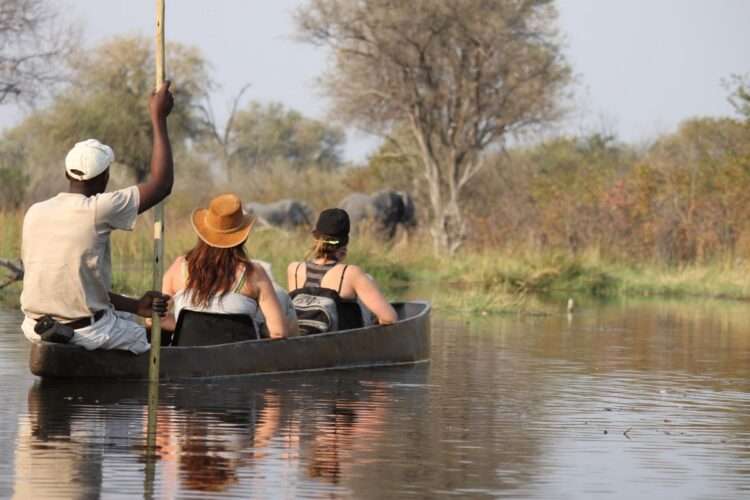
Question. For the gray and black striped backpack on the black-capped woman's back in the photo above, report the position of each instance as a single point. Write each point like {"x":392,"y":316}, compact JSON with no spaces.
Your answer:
{"x":317,"y":309}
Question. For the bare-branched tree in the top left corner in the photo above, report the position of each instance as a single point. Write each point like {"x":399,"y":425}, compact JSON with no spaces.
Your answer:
{"x":33,"y":42}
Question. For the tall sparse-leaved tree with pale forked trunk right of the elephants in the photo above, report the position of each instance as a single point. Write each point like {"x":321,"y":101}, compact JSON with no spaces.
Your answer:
{"x":461,"y":75}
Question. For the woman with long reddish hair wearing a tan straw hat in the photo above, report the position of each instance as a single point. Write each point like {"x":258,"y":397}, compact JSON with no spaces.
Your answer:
{"x":217,"y":276}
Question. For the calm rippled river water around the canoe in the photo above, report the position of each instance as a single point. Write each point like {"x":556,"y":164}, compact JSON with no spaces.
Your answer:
{"x":620,"y":401}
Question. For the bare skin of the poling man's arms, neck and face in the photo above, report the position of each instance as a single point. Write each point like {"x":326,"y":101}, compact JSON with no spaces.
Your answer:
{"x":155,"y":189}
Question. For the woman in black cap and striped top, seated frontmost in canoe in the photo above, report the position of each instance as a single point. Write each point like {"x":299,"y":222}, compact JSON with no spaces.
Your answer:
{"x":323,"y":280}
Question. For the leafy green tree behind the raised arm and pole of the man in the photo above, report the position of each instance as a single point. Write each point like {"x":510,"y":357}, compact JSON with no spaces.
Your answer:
{"x":107,"y":99}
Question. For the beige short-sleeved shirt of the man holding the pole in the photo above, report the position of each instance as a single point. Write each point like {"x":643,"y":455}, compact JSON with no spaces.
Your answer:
{"x":66,"y":252}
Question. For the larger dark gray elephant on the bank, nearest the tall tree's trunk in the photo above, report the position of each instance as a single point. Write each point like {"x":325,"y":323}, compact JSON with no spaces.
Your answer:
{"x":383,"y":210}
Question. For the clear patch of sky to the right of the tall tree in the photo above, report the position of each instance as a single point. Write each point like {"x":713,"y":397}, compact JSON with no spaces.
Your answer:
{"x":645,"y":65}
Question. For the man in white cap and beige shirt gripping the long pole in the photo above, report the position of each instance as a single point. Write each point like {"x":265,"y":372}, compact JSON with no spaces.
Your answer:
{"x":66,"y":248}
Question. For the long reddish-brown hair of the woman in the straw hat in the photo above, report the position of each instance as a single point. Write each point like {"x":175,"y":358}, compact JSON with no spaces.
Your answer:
{"x":213,"y":271}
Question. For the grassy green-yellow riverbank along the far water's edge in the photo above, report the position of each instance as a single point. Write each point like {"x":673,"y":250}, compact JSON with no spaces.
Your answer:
{"x":477,"y":280}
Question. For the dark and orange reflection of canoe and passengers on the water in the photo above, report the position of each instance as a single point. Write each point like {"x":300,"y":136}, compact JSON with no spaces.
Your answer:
{"x":210,"y":436}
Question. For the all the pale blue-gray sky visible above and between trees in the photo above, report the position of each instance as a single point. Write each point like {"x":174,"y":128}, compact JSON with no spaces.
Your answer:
{"x":641,"y":66}
